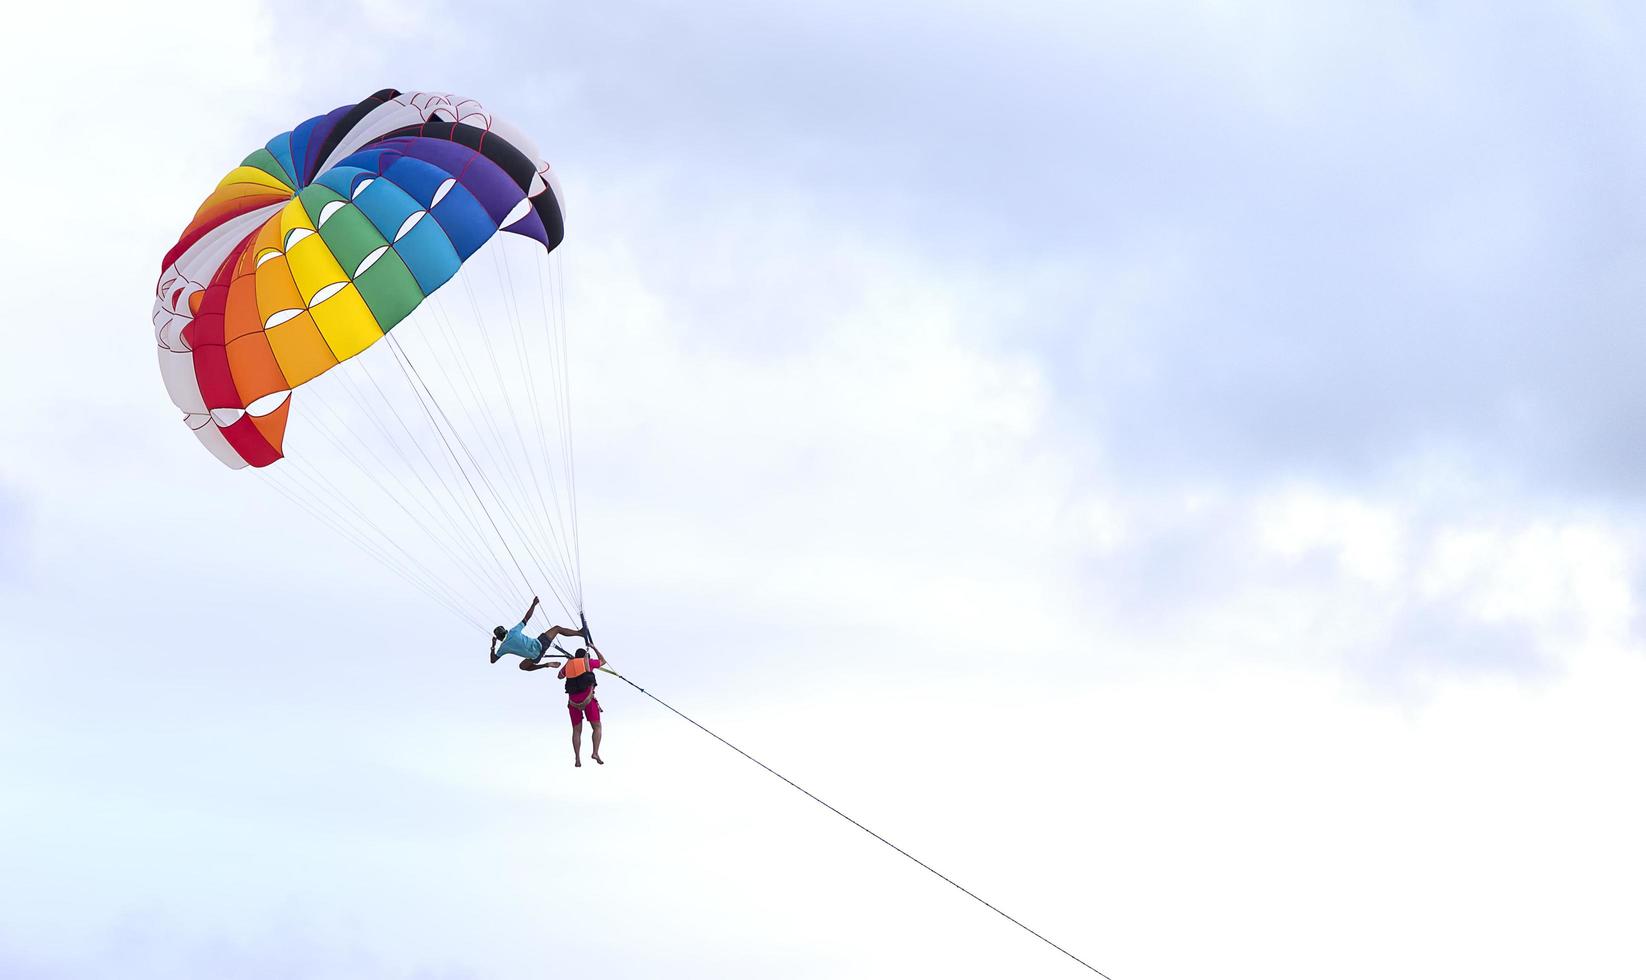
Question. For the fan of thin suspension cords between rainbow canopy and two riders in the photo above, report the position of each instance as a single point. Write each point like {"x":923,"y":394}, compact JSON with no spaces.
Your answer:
{"x":435,"y":541}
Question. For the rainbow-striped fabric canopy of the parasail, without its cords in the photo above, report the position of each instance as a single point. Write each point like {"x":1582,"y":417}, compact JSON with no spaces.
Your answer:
{"x":322,"y":241}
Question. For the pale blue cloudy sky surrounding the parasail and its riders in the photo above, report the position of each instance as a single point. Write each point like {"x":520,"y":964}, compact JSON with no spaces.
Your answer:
{"x":1171,"y":467}
